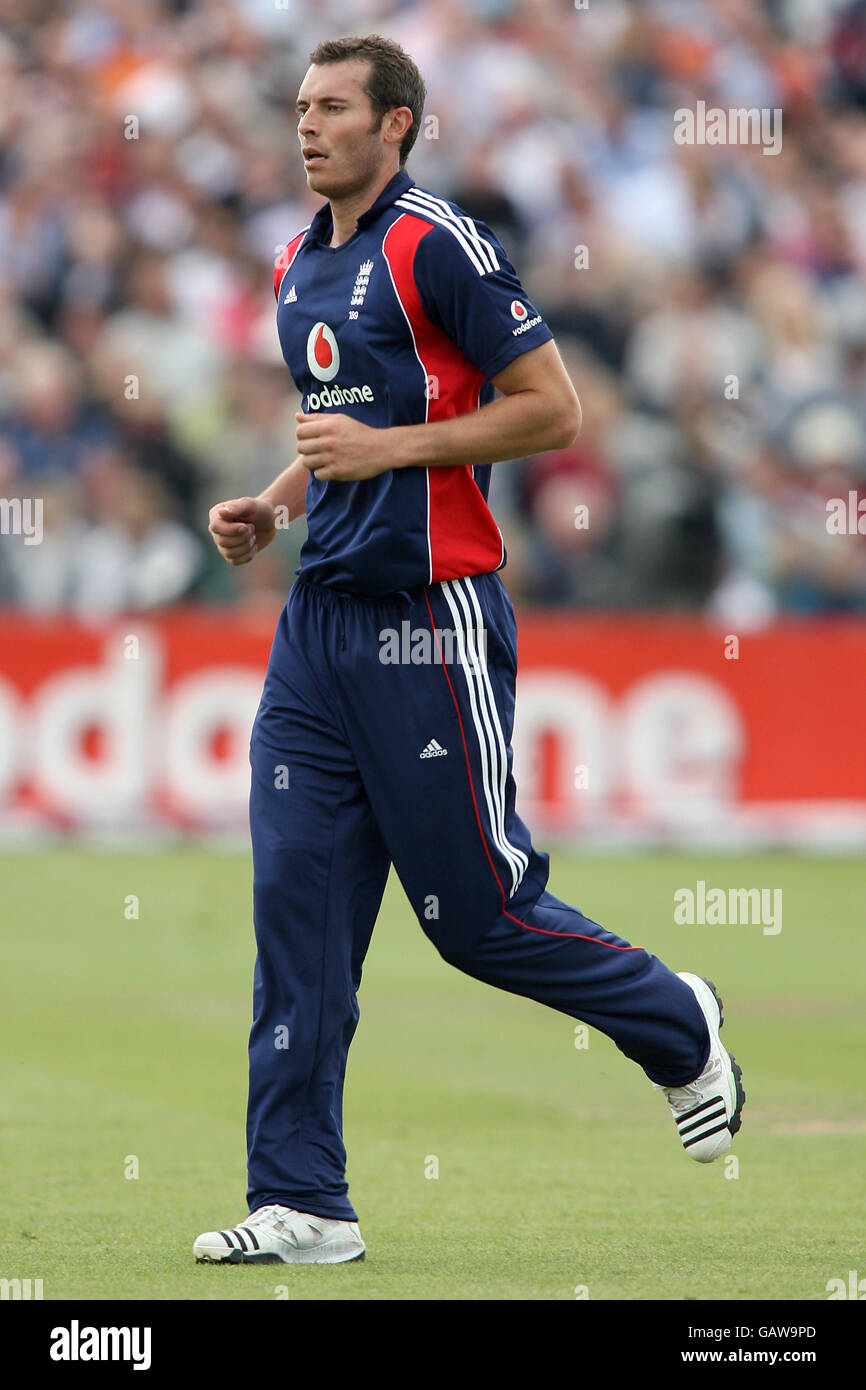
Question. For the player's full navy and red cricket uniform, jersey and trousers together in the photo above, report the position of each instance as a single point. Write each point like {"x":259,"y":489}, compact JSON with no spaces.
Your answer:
{"x":386,"y":722}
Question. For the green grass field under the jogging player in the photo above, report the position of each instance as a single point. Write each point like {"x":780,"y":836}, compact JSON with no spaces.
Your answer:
{"x":559,"y":1168}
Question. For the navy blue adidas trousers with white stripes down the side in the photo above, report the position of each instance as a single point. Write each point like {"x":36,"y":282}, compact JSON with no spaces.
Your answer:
{"x":384,"y":737}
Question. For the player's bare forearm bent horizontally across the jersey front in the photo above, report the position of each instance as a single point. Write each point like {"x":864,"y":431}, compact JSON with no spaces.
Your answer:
{"x":508,"y":429}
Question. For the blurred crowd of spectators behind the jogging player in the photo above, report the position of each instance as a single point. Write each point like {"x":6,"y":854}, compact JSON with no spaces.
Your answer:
{"x":710,"y":300}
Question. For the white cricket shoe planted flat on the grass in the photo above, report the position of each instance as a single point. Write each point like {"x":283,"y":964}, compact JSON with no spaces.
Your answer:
{"x":281,"y":1236}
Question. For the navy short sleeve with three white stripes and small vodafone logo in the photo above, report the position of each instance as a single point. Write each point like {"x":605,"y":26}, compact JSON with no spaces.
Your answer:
{"x":471,"y":290}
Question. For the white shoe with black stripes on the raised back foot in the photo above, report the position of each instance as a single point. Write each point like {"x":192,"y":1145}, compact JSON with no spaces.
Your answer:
{"x":708,"y":1111}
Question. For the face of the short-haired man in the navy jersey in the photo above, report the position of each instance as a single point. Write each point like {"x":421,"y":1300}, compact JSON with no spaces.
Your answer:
{"x":338,"y":123}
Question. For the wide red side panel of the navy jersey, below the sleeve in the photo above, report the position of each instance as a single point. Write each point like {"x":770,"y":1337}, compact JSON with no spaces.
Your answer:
{"x":464,"y":537}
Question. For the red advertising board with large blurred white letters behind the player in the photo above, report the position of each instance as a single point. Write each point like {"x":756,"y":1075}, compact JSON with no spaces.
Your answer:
{"x":639,"y":728}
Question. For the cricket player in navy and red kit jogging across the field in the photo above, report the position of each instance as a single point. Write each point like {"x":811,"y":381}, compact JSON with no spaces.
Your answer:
{"x":384,"y":729}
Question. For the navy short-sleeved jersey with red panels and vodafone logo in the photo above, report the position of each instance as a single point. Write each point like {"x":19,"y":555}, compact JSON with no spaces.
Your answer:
{"x":405,"y":323}
